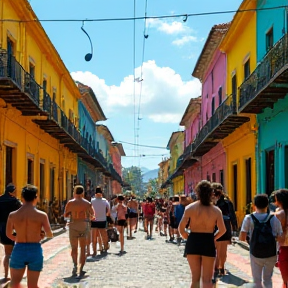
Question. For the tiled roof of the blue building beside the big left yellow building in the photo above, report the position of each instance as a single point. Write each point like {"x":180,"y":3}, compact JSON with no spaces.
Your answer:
{"x":91,"y":103}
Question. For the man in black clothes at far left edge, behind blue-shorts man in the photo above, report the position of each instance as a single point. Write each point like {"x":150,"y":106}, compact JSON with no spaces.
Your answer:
{"x":8,"y":203}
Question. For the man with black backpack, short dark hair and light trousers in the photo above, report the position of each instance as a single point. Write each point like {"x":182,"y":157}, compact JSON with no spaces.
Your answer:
{"x":260,"y":226}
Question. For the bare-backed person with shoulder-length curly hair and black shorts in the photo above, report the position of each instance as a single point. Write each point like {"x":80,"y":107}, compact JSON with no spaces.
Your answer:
{"x":200,"y":250}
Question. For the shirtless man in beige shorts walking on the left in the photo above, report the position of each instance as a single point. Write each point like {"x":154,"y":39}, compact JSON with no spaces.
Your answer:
{"x":80,"y":212}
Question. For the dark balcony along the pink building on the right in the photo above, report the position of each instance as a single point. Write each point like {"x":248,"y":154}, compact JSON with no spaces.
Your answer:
{"x":222,"y":123}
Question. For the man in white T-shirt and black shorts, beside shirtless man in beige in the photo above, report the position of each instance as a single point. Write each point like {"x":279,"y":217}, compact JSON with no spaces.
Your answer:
{"x":101,"y":209}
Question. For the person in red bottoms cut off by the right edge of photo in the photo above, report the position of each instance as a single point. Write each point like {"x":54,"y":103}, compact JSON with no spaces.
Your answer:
{"x":281,"y":197}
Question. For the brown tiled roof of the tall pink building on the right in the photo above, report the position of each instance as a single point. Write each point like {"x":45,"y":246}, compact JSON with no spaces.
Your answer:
{"x":212,"y":43}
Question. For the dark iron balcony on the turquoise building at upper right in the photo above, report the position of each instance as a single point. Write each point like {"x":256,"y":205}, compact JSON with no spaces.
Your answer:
{"x":269,"y":81}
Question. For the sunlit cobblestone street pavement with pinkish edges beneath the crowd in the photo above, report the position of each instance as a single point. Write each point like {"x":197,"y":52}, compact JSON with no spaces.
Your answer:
{"x":147,"y":263}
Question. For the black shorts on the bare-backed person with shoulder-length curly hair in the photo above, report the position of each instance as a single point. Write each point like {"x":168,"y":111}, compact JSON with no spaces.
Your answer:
{"x":200,"y":244}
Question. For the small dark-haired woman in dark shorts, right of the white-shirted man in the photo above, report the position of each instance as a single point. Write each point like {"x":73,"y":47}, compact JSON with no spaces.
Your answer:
{"x":121,"y":210}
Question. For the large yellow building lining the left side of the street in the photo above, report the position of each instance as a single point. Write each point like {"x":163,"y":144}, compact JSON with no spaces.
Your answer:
{"x":38,"y":107}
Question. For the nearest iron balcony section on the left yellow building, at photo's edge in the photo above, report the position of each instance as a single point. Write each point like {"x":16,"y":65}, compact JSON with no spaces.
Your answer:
{"x":18,"y":87}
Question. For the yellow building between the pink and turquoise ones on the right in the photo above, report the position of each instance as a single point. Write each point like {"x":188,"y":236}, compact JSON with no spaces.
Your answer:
{"x":239,"y":44}
